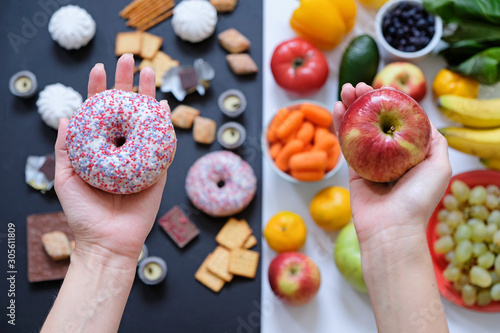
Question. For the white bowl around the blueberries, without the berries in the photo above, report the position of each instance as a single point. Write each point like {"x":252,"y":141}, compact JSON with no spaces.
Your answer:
{"x":390,"y":53}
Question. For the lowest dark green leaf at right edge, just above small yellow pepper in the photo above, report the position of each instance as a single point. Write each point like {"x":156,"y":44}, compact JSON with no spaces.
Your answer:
{"x":484,"y":66}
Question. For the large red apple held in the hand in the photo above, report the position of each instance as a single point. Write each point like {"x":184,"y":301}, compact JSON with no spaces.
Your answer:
{"x":384,"y":133}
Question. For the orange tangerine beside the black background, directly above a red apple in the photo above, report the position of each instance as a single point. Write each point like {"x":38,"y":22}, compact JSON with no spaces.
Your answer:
{"x":285,"y":231}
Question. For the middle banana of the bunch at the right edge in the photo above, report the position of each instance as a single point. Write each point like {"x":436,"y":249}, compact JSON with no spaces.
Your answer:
{"x":484,"y":143}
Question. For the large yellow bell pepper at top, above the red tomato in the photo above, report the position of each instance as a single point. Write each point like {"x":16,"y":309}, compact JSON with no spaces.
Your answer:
{"x":324,"y":22}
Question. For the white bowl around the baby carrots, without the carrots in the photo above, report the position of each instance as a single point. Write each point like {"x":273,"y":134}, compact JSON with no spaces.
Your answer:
{"x":284,"y":175}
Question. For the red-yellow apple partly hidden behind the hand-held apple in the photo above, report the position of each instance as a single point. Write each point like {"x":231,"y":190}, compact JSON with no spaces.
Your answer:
{"x":403,"y":76}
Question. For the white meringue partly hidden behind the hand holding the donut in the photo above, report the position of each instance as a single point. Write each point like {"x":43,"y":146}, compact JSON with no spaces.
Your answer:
{"x":57,"y":101}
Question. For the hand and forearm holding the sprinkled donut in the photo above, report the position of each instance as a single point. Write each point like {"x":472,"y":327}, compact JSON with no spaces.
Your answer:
{"x":109,"y":230}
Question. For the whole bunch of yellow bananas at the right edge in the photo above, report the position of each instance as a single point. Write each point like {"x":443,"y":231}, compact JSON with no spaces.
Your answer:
{"x":480,"y":135}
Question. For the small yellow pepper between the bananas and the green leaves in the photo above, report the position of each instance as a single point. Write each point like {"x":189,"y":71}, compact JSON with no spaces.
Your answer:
{"x":447,"y":82}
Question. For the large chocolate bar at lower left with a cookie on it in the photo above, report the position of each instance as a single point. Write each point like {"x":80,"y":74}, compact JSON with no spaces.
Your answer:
{"x":40,"y":266}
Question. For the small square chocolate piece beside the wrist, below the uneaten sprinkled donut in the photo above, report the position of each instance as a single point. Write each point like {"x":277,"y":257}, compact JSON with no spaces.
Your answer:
{"x":178,"y":226}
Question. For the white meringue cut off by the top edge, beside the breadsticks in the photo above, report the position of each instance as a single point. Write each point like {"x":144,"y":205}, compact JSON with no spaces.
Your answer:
{"x":194,"y":20}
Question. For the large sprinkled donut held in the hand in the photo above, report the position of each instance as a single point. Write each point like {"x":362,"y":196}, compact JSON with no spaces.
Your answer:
{"x":120,"y":142}
